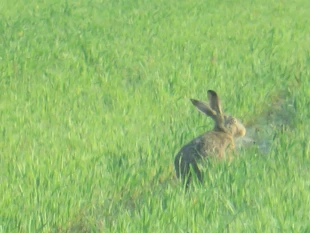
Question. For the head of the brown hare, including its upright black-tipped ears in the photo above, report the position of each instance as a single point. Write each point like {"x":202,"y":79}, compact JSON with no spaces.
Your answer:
{"x":222,"y":122}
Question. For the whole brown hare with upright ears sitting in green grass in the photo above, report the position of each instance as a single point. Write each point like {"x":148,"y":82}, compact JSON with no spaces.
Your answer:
{"x":212,"y":143}
